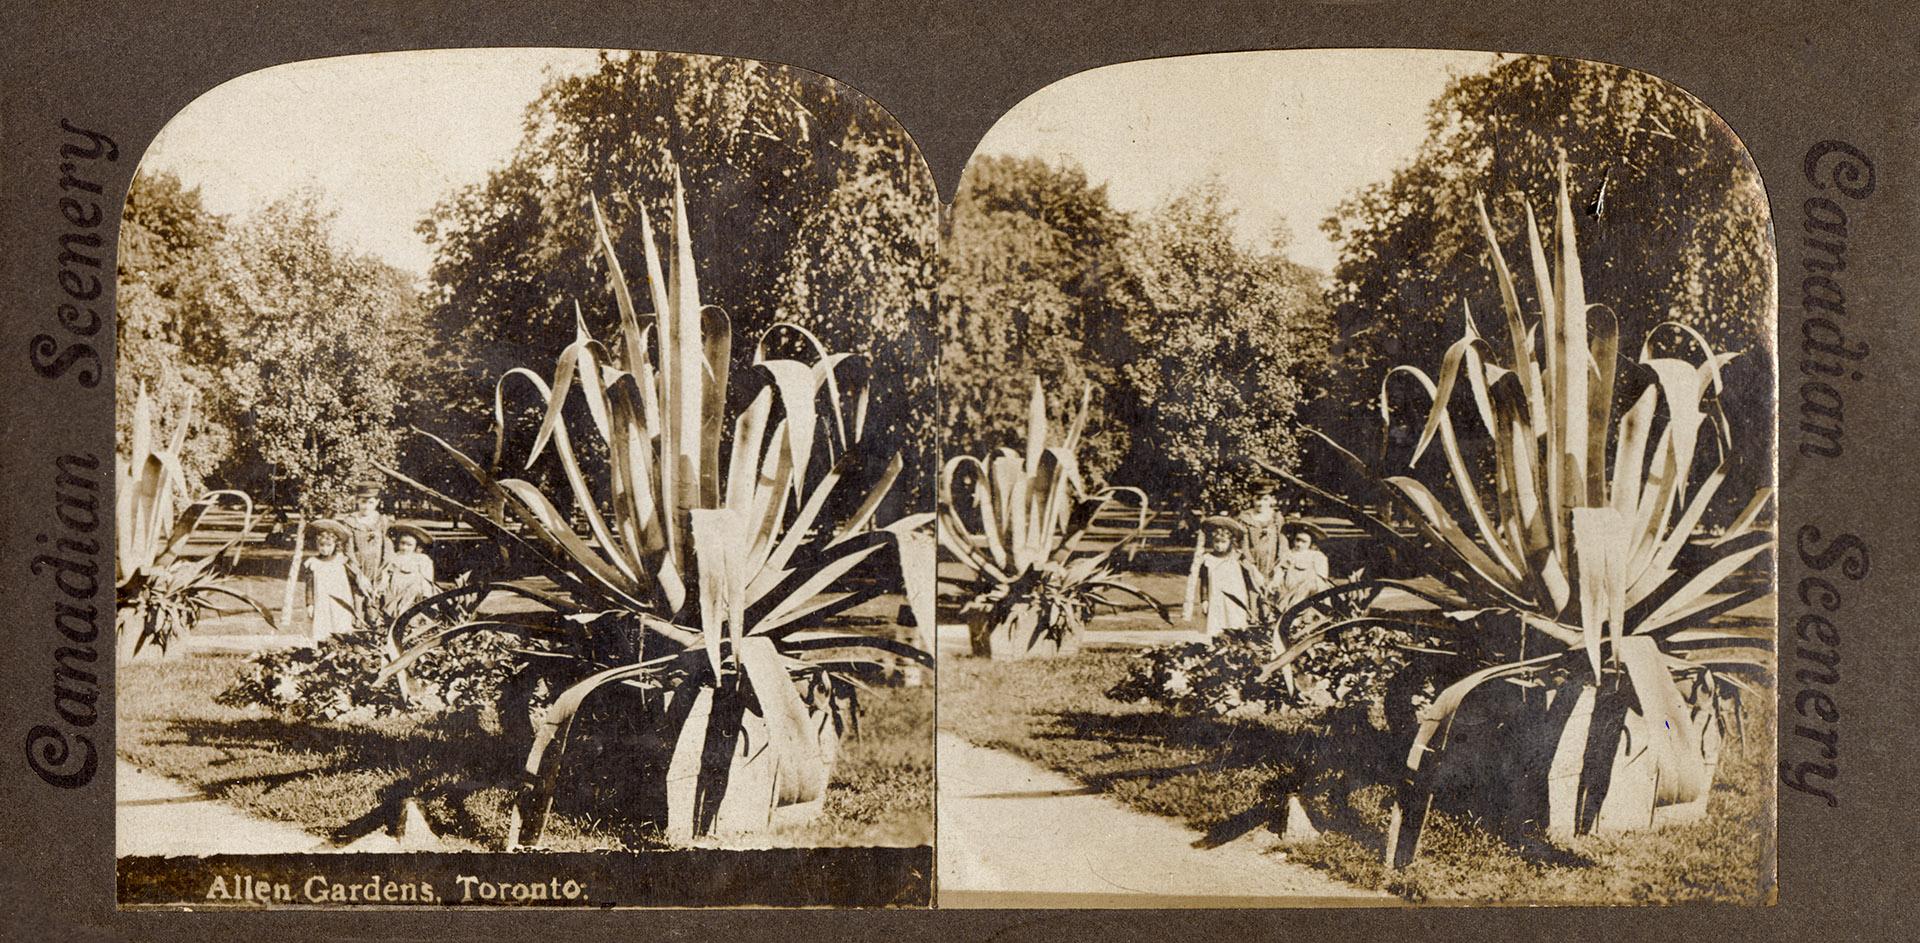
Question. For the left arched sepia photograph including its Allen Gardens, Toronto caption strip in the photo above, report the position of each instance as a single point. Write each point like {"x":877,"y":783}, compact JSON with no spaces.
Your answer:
{"x":523,"y":491}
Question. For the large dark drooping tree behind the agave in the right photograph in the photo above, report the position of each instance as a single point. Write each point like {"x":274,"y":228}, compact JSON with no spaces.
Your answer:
{"x":1675,"y":224}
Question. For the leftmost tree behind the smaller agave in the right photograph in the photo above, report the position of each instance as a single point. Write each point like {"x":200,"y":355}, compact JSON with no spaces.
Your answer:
{"x":1028,"y":256}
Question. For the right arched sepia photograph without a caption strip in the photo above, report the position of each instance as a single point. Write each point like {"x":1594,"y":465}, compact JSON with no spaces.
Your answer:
{"x":1356,"y":491}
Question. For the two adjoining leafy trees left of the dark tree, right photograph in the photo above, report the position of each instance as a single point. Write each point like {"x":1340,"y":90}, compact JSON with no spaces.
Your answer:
{"x":1201,"y":351}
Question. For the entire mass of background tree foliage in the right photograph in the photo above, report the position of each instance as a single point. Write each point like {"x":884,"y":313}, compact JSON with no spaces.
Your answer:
{"x":1207,"y":352}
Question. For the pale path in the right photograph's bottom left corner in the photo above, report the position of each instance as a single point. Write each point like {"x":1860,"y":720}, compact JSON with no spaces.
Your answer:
{"x":1015,"y":834}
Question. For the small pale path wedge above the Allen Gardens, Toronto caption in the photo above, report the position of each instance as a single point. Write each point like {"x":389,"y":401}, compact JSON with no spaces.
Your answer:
{"x":155,"y":815}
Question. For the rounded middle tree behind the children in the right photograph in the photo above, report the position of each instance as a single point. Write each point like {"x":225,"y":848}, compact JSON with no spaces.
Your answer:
{"x":1224,"y":347}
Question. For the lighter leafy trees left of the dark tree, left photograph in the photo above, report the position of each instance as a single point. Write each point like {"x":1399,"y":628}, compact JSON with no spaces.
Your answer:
{"x":302,"y":360}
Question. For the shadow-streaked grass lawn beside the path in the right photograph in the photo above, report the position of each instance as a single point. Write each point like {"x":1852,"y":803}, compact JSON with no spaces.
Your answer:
{"x":1224,"y":777}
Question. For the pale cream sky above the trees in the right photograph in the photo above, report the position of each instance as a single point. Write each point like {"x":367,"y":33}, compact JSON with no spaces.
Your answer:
{"x":1287,"y":133}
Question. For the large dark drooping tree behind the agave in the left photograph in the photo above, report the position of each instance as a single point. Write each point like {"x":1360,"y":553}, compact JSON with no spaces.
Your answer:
{"x":775,"y":162}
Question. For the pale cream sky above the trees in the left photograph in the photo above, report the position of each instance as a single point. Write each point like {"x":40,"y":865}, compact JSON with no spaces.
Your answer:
{"x":385,"y":137}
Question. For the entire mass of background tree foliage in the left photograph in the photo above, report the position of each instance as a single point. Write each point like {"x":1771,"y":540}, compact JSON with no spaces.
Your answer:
{"x":308,"y":360}
